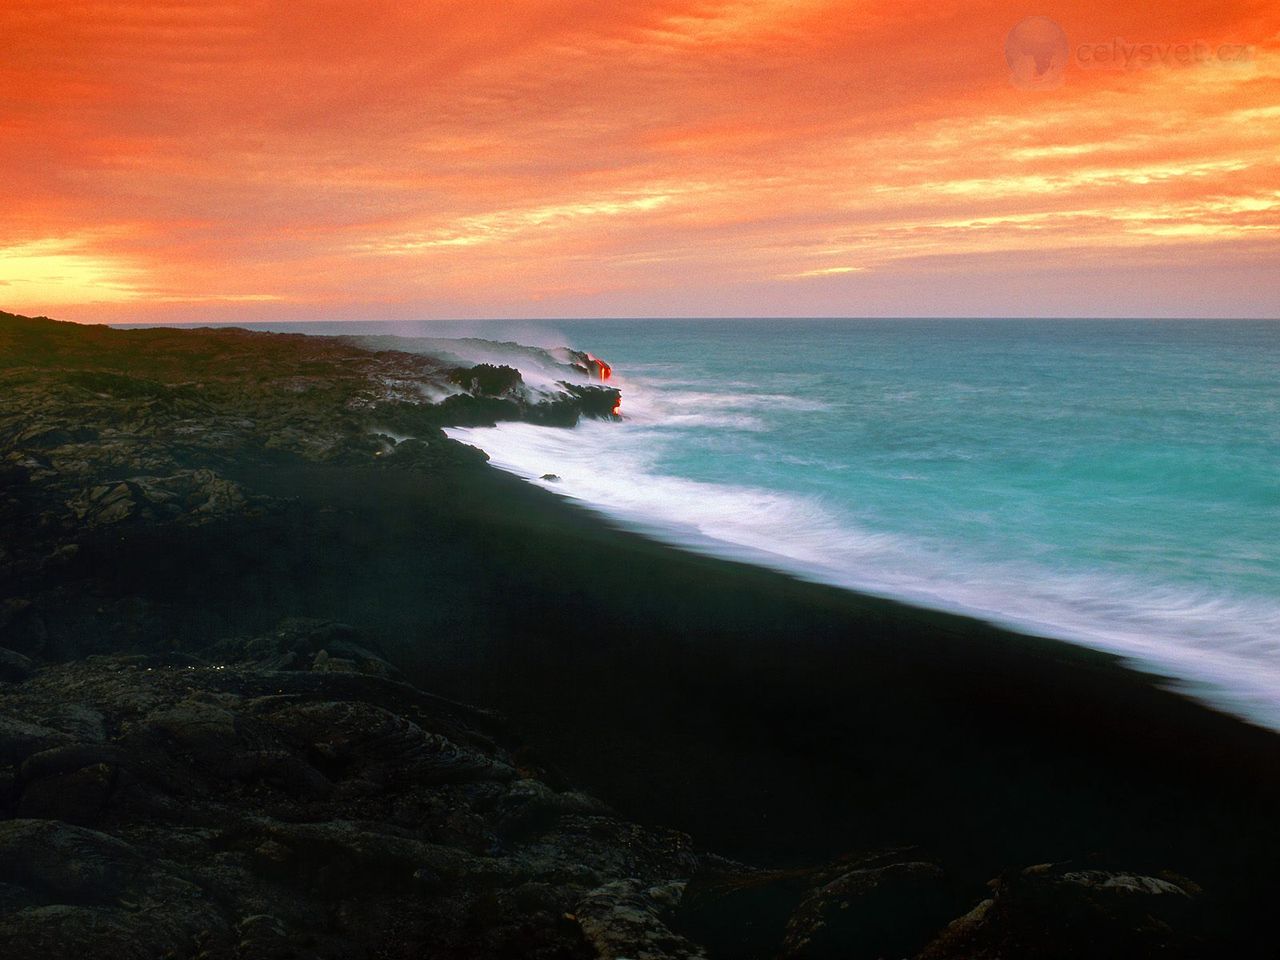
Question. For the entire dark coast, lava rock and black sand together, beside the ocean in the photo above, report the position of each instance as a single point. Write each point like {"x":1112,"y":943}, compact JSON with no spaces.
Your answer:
{"x":248,"y":588}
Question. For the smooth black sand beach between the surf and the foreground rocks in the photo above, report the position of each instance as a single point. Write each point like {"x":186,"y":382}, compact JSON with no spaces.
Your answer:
{"x":779,"y":723}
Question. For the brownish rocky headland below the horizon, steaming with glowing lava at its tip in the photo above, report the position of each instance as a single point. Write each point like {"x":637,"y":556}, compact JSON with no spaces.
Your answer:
{"x":143,"y":426}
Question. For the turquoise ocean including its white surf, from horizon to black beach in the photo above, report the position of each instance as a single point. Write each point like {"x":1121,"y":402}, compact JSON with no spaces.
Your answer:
{"x":1113,"y":483}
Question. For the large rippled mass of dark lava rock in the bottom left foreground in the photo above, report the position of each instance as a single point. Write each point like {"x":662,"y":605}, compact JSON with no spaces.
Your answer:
{"x":227,"y":810}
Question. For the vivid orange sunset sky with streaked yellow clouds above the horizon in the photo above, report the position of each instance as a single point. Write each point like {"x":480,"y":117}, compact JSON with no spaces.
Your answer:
{"x":661,"y":158}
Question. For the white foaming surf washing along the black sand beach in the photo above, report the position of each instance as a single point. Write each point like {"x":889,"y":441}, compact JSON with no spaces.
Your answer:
{"x":1224,"y":651}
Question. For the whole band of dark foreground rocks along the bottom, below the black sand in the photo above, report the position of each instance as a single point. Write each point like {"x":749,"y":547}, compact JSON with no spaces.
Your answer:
{"x":254,"y":803}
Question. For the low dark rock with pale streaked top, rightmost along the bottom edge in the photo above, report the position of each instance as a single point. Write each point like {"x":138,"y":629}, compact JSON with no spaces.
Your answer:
{"x":1060,"y":912}
